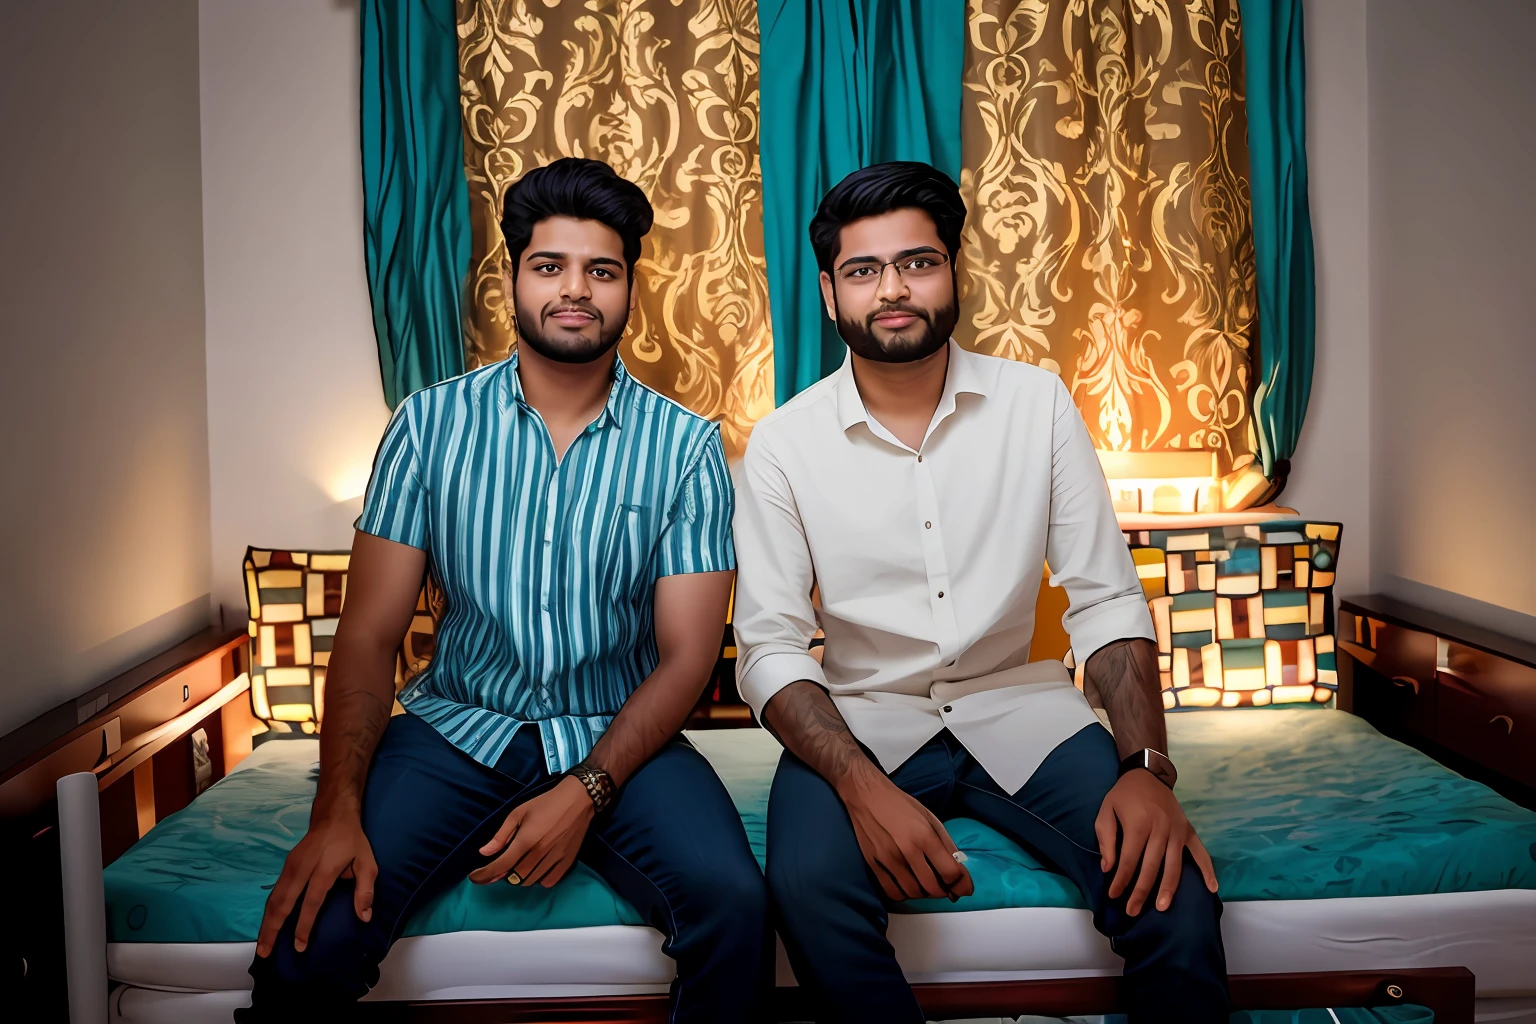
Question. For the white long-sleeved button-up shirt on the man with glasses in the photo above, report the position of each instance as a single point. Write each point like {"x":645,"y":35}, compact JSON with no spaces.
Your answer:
{"x":927,"y":564}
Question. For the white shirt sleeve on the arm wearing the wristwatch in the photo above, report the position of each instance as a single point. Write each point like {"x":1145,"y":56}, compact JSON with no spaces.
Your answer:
{"x":1085,"y":549}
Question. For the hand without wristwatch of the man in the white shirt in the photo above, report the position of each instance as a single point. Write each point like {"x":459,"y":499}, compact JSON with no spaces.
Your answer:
{"x":905,"y":847}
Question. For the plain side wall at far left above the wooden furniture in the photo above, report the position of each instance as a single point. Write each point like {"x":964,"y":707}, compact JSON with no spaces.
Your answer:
{"x":105,"y":520}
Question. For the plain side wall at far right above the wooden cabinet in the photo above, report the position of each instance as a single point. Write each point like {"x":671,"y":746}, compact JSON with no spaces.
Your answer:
{"x":1454,"y":371}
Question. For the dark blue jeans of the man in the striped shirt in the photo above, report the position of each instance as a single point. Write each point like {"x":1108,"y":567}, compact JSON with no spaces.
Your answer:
{"x":672,"y":845}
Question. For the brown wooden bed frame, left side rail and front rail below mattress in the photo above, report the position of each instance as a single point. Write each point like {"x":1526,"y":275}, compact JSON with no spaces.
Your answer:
{"x":137,"y":742}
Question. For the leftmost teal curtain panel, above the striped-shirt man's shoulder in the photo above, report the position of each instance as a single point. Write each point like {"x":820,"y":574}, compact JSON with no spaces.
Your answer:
{"x":417,"y":208}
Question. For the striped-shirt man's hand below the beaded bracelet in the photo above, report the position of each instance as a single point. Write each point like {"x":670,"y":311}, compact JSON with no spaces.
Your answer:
{"x":541,"y":837}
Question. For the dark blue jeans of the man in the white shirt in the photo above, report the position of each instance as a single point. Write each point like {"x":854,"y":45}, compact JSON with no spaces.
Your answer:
{"x":832,"y":914}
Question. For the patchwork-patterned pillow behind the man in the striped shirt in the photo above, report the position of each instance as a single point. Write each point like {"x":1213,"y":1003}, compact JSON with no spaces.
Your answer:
{"x":296,"y":603}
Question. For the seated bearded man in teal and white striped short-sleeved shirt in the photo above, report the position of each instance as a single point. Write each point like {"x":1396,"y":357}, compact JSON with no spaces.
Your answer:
{"x":580,"y":527}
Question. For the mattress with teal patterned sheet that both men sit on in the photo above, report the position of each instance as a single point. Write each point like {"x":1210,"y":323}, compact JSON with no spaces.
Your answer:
{"x":1339,"y":851}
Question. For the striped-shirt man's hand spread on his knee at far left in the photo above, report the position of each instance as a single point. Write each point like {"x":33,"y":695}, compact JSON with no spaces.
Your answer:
{"x":334,"y":848}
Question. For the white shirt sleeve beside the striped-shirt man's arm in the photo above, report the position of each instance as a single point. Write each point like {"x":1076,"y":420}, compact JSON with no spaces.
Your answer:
{"x":775,"y":619}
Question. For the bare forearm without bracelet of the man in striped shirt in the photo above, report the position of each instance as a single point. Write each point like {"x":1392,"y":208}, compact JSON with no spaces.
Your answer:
{"x":357,"y":715}
